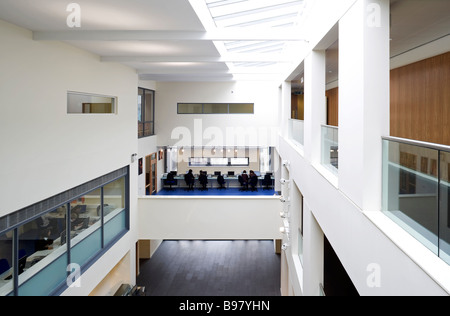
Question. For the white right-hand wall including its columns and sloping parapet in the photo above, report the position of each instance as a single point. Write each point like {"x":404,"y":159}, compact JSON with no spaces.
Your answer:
{"x":347,"y":208}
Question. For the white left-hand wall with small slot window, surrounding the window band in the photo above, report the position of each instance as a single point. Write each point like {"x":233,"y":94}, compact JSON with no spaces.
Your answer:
{"x":45,"y":151}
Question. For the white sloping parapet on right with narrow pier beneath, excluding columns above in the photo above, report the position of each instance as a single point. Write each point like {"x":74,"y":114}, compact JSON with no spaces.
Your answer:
{"x":356,"y":239}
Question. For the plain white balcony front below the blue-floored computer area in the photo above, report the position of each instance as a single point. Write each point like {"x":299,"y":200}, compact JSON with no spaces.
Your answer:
{"x":209,"y":218}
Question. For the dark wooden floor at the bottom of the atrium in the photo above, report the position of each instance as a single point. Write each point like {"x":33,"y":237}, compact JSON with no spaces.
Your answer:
{"x":212,"y":268}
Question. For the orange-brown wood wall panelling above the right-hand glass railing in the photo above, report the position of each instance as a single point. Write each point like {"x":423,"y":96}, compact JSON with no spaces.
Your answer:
{"x":420,"y":100}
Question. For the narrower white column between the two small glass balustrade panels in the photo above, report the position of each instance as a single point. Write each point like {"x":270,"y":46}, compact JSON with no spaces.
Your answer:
{"x":315,"y":104}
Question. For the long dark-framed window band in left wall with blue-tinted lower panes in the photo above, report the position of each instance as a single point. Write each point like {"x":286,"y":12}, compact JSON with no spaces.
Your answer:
{"x":43,"y":246}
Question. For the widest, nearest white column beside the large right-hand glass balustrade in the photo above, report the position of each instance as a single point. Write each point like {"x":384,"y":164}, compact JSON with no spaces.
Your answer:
{"x":363,"y":100}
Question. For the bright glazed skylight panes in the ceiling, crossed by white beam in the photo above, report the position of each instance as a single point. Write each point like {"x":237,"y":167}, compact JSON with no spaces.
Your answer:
{"x":254,"y":16}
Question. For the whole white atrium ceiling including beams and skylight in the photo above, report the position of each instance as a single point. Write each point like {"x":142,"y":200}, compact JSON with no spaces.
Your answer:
{"x":200,"y":40}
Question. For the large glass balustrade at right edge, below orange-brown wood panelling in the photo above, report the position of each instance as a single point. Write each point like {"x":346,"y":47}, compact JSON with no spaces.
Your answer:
{"x":416,"y":192}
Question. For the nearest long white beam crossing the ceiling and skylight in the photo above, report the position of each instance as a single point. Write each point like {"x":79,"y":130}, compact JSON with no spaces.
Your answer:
{"x":217,"y":35}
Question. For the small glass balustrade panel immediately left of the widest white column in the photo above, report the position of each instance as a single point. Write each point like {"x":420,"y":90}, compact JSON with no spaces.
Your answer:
{"x":330,"y":148}
